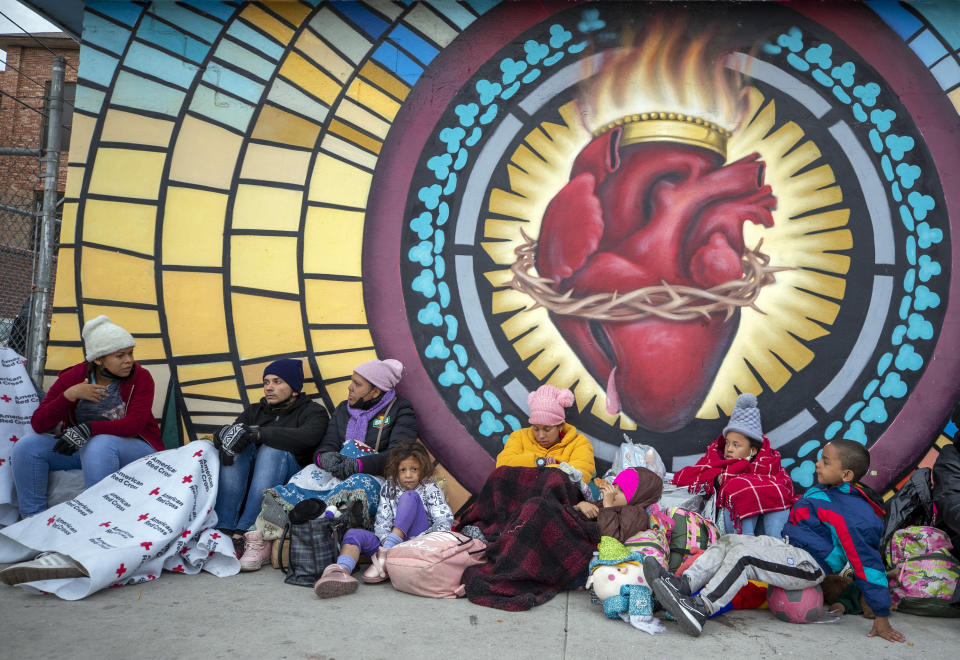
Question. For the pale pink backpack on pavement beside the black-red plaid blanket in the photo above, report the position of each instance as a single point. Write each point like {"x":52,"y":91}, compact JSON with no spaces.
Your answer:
{"x":432,"y":565}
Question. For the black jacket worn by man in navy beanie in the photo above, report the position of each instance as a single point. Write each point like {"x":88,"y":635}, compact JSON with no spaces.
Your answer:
{"x":297,"y":429}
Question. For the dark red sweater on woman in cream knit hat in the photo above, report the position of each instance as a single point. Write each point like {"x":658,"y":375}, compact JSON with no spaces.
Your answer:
{"x":136,"y":392}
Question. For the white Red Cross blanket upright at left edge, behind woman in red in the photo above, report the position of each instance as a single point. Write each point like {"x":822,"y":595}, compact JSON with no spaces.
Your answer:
{"x":18,"y":400}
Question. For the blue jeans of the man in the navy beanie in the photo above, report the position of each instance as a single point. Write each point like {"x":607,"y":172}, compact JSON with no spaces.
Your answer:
{"x":242,"y":484}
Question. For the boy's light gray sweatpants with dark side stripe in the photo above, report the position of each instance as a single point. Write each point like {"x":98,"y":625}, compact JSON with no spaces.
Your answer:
{"x":723,"y":569}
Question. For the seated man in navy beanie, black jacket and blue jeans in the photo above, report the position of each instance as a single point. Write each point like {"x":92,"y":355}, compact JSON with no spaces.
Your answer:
{"x":267,"y":444}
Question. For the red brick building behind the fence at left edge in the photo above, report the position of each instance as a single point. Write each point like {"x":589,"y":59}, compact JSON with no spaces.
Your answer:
{"x":25,"y":82}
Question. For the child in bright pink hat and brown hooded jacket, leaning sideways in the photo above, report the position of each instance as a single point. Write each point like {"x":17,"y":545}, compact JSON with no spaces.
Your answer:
{"x":622,"y":511}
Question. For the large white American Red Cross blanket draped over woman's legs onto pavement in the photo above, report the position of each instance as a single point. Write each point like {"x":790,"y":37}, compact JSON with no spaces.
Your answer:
{"x":156,"y":513}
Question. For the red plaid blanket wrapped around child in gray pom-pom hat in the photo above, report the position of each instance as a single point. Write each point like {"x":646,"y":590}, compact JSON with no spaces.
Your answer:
{"x":747,"y":488}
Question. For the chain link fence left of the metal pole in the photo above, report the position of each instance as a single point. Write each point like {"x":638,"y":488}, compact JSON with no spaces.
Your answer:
{"x":19,"y":241}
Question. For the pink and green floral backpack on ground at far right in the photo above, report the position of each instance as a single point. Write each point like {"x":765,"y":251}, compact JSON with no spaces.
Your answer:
{"x":923,"y":574}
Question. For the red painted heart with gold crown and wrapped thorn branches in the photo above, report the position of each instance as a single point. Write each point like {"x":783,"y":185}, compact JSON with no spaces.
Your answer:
{"x":642,"y":263}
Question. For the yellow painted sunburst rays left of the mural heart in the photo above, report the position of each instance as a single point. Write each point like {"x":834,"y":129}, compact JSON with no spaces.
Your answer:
{"x":537,"y":170}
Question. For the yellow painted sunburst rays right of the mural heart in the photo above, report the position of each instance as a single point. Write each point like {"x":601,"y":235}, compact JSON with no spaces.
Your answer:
{"x":803,"y":303}
